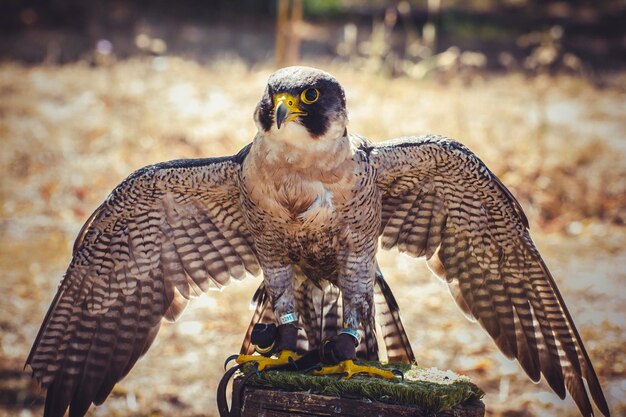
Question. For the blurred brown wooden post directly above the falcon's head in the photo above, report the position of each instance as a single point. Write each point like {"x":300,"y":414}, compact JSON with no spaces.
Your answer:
{"x":288,"y":20}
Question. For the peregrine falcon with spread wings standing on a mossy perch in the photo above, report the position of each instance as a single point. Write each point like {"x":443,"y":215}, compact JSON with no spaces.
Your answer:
{"x":305,"y":205}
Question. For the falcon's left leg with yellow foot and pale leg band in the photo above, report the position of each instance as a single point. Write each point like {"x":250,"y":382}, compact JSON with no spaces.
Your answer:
{"x":279,"y":285}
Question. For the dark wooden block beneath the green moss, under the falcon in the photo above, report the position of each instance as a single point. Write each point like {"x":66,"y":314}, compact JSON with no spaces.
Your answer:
{"x":251,"y":401}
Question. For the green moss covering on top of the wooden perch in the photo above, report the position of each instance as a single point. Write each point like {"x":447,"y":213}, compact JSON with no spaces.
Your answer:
{"x":428,"y":389}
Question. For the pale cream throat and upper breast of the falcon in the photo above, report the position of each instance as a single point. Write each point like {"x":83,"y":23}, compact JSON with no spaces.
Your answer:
{"x":289,"y":173}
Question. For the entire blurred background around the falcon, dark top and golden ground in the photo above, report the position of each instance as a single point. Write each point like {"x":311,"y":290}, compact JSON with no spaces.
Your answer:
{"x":90,"y":91}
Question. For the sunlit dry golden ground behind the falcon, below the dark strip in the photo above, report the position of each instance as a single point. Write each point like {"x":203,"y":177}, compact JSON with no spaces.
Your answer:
{"x":69,"y":134}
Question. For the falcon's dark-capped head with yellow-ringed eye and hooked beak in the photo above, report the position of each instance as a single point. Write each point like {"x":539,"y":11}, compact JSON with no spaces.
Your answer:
{"x":301,"y":104}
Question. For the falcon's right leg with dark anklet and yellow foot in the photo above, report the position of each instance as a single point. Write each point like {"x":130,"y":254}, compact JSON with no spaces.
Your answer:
{"x":357,"y":286}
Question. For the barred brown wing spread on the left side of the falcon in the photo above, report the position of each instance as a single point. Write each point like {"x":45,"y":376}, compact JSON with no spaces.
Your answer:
{"x":167,"y":232}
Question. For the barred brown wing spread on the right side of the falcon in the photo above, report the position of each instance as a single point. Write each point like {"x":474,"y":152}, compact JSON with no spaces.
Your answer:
{"x":441,"y":202}
